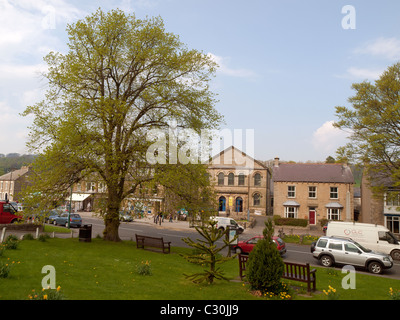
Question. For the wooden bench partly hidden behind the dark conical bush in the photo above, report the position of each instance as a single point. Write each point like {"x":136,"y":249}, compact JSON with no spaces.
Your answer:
{"x":292,"y":271}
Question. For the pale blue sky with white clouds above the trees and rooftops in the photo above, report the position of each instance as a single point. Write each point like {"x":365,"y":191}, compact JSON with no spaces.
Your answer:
{"x":284,"y":65}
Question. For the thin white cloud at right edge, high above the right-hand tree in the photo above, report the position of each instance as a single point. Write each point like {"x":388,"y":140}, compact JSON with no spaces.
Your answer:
{"x":387,"y":48}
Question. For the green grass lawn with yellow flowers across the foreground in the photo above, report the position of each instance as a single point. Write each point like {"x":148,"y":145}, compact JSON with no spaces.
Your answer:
{"x":105,"y":270}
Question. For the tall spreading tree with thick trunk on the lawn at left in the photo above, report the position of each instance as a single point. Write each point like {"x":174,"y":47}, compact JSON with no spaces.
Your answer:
{"x":121,"y":77}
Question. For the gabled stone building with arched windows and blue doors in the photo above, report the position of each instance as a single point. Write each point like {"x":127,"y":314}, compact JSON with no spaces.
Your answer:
{"x":241,"y":183}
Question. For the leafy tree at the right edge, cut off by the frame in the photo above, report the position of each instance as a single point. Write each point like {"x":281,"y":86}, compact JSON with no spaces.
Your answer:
{"x":374,"y":126}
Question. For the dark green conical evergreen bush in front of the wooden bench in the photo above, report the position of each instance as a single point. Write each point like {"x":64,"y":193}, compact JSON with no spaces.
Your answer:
{"x":265,"y":266}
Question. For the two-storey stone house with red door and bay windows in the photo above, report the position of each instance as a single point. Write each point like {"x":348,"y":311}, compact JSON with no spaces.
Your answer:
{"x":313,"y":191}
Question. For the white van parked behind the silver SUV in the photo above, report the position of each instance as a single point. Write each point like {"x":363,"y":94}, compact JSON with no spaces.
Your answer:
{"x":375,"y":237}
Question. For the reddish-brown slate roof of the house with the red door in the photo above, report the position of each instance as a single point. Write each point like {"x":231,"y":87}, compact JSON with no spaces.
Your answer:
{"x":312,"y":172}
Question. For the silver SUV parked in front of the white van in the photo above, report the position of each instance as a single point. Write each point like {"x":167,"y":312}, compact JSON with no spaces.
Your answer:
{"x":331,"y":250}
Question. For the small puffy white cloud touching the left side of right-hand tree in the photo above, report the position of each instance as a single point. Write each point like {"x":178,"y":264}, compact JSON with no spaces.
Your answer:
{"x":327,"y":138}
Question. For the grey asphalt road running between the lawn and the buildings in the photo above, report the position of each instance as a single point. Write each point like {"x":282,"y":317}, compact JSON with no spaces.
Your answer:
{"x":295,"y":253}
